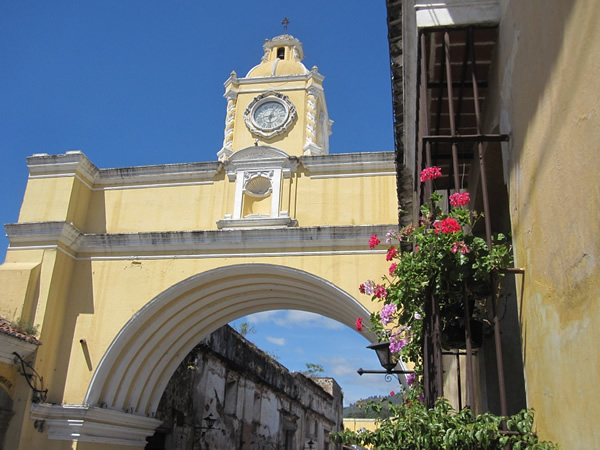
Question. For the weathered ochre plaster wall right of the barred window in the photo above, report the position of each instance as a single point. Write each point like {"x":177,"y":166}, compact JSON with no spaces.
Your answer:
{"x":553,"y":47}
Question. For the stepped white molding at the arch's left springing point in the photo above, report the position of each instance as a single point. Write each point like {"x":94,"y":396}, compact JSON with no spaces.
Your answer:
{"x":92,"y":424}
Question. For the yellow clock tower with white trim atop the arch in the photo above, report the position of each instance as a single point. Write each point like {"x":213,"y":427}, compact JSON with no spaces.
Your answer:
{"x":279,"y":104}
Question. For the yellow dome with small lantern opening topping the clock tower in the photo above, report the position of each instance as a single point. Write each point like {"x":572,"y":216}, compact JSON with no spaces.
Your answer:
{"x":283,"y":56}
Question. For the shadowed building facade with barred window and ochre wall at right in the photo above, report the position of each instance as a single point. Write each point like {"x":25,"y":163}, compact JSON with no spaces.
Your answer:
{"x":523,"y":118}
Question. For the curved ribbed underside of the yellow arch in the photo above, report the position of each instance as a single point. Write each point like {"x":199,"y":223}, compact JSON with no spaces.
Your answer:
{"x":137,"y":366}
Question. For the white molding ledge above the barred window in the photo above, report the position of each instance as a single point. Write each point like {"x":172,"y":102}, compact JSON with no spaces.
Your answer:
{"x":456,"y":13}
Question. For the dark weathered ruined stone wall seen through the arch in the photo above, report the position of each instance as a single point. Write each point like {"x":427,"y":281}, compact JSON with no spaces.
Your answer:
{"x":257,"y":403}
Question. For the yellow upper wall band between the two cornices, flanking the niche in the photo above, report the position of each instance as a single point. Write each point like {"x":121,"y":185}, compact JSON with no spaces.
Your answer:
{"x":313,"y":201}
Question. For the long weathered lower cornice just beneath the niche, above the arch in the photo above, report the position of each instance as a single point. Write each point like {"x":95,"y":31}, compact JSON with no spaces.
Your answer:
{"x":263,"y":238}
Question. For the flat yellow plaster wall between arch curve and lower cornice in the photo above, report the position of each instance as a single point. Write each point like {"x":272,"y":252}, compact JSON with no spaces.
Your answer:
{"x":104,"y":295}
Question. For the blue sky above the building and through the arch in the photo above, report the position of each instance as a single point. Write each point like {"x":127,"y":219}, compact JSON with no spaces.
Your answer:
{"x":138,"y":82}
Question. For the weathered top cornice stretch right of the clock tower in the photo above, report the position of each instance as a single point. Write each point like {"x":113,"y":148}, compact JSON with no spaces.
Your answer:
{"x":383,"y":162}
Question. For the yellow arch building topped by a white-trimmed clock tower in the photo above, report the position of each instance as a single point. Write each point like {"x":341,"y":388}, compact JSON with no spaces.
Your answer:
{"x":126,"y":270}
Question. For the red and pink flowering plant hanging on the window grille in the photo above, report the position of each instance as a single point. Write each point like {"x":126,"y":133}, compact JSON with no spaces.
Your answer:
{"x":440,"y":256}
